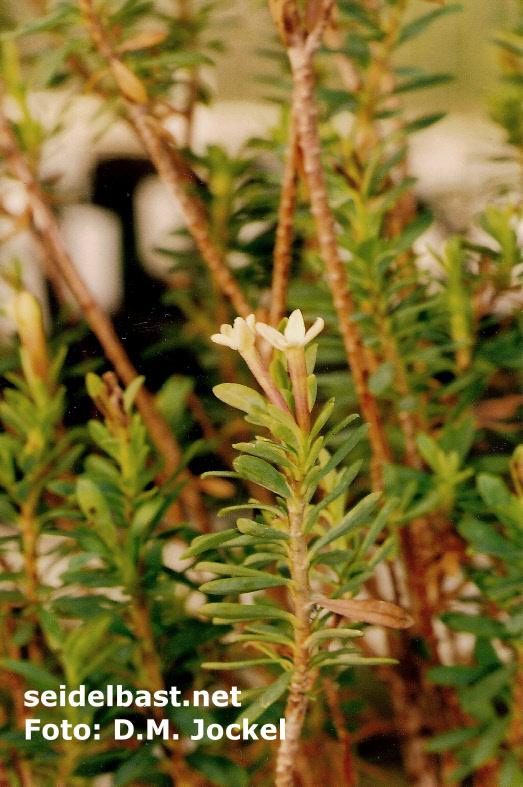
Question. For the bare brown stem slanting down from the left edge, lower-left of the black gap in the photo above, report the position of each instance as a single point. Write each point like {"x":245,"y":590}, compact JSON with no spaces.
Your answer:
{"x":47,"y":228}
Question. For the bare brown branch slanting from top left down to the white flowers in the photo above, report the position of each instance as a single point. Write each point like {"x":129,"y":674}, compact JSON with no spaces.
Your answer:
{"x":160,"y":154}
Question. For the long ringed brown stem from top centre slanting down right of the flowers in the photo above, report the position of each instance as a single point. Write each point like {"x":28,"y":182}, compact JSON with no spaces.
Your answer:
{"x":304,"y":106}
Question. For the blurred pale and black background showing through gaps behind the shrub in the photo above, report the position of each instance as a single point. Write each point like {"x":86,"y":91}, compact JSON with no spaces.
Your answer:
{"x":115,"y":213}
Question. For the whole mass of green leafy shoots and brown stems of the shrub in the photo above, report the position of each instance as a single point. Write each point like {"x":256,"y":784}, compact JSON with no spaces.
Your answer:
{"x":89,"y":590}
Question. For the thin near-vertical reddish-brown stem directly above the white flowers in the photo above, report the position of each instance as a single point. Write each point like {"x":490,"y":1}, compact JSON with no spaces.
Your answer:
{"x":283,"y":247}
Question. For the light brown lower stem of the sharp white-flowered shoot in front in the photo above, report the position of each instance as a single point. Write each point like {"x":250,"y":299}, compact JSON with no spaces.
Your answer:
{"x":302,"y":678}
